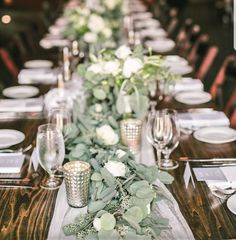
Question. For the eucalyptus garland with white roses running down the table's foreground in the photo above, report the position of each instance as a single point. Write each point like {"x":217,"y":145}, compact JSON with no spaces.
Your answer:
{"x":121,"y":190}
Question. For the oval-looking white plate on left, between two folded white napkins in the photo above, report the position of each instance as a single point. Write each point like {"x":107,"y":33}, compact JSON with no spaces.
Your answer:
{"x":20,"y":92}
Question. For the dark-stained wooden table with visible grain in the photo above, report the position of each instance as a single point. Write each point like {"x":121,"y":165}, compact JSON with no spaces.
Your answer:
{"x":26,"y":213}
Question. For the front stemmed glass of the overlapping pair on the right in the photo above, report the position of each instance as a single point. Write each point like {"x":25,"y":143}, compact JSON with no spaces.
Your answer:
{"x":159,"y":132}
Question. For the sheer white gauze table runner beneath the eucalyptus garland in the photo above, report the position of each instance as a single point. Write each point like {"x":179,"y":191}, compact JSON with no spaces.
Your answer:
{"x":168,"y":208}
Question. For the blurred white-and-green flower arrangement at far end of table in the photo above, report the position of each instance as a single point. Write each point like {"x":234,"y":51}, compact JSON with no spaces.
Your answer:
{"x":96,"y":26}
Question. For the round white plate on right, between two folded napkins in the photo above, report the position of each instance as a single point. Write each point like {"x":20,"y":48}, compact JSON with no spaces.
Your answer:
{"x":194,"y":97}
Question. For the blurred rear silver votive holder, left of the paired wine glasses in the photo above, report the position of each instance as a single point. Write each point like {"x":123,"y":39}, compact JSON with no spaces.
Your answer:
{"x":131,"y":132}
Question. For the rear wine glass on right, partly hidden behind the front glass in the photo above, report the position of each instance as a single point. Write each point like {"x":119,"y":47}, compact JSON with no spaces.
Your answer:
{"x":173,"y":143}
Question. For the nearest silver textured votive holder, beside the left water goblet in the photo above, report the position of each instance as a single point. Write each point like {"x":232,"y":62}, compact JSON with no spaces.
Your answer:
{"x":77,"y":176}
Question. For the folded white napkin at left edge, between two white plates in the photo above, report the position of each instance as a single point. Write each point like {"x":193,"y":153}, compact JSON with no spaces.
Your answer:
{"x":21,"y":105}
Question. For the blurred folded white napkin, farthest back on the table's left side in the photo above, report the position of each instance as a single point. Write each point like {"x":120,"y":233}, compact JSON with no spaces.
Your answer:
{"x":29,"y":76}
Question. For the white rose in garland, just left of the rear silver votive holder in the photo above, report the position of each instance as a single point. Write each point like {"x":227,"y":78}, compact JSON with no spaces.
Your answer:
{"x":107,"y":135}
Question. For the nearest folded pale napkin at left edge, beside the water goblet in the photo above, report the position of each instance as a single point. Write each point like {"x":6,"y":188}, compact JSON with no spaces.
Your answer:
{"x":11,"y":162}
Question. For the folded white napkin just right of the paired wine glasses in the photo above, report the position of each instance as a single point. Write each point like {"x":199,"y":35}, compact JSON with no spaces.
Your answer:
{"x":203,"y":119}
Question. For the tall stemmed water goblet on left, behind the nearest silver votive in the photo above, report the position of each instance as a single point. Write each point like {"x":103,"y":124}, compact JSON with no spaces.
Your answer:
{"x":51,"y":152}
